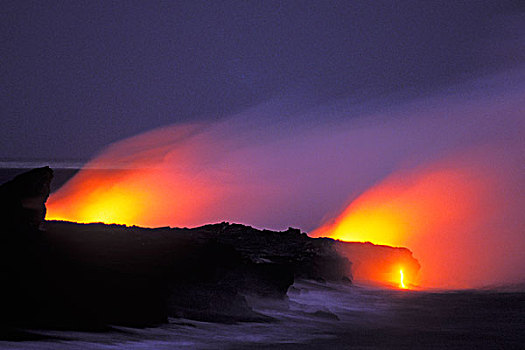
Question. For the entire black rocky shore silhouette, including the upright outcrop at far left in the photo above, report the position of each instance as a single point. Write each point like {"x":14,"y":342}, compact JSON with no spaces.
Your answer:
{"x":87,"y":276}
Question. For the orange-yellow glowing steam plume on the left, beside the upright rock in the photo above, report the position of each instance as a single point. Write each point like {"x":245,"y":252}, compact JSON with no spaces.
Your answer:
{"x":149,"y":180}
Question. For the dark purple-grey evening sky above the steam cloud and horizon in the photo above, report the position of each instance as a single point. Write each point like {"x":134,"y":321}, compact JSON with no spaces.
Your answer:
{"x":78,"y":75}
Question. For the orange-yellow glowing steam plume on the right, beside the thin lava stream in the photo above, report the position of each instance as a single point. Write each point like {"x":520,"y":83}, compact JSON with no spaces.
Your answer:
{"x":432,"y":210}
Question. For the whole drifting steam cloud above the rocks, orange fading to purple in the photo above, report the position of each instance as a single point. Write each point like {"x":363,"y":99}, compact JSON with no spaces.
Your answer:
{"x":457,"y":156}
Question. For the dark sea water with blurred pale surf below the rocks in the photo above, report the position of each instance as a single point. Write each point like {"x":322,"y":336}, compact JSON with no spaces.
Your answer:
{"x":329,"y":316}
